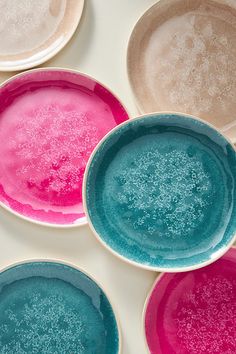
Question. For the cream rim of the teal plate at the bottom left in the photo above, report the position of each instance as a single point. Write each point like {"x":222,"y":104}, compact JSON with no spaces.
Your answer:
{"x":83,"y":271}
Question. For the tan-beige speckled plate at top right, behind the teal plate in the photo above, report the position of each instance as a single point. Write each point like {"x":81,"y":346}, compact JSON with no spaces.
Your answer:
{"x":181,"y":57}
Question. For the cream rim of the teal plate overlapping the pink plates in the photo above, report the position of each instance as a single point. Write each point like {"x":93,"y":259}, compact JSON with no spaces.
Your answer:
{"x":219,"y":253}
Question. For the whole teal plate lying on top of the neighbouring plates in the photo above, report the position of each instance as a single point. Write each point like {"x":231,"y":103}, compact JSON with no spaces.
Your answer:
{"x":159,"y":192}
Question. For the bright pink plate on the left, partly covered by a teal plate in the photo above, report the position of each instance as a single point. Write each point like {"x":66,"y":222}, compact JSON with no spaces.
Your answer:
{"x":50,"y":121}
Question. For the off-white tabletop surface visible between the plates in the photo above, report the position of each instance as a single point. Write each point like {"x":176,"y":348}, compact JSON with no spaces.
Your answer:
{"x":99,"y":49}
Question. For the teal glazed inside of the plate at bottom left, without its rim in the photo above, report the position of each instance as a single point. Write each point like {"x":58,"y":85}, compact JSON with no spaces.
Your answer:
{"x":50,"y":308}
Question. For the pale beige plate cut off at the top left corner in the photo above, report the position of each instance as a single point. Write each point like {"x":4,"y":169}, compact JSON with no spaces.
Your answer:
{"x":32,"y":31}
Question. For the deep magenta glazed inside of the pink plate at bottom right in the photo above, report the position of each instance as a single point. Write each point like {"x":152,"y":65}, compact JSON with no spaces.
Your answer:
{"x":194,"y":312}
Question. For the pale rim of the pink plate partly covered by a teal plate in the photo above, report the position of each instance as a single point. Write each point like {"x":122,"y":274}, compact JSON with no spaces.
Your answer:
{"x":72,"y":71}
